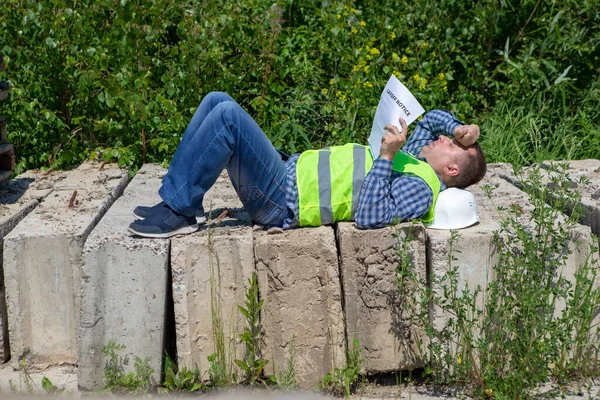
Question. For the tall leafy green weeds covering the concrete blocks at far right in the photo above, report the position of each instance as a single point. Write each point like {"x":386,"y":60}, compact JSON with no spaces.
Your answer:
{"x":536,"y":320}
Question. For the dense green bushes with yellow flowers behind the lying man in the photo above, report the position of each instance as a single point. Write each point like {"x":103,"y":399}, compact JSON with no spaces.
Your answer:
{"x":121,"y":78}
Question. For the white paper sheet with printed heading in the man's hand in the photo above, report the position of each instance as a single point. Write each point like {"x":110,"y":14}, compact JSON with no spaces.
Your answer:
{"x":396,"y":102}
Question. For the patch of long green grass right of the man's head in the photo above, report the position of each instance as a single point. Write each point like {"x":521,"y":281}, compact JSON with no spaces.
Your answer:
{"x":541,"y":127}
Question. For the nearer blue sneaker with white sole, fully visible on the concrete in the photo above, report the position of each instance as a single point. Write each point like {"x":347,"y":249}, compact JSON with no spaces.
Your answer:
{"x":163,"y":223}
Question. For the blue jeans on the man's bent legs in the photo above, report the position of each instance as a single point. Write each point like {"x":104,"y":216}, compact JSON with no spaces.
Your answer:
{"x":222,"y":135}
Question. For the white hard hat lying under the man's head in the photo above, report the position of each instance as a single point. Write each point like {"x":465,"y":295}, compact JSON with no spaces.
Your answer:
{"x":454,"y":209}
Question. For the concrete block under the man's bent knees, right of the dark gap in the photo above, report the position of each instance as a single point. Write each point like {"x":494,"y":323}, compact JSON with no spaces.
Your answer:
{"x":210,"y":271}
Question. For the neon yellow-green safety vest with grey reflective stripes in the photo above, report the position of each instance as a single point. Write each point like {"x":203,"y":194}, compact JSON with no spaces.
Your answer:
{"x":329,"y":182}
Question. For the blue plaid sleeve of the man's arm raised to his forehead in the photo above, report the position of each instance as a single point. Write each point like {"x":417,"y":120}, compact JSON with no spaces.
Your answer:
{"x":433,"y":124}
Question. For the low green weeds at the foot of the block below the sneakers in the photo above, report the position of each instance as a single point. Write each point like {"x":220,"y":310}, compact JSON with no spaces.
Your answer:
{"x":116,"y":380}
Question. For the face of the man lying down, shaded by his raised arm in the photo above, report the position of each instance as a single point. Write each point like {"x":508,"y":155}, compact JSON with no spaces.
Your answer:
{"x":443,"y":155}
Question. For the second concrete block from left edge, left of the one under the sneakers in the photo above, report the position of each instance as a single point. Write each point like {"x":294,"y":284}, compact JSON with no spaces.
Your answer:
{"x":42,"y":264}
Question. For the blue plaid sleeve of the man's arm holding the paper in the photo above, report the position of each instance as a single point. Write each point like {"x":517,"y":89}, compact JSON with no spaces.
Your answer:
{"x":382,"y":200}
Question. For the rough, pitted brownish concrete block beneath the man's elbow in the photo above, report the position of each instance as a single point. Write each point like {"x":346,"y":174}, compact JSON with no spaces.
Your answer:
{"x":373,"y":304}
